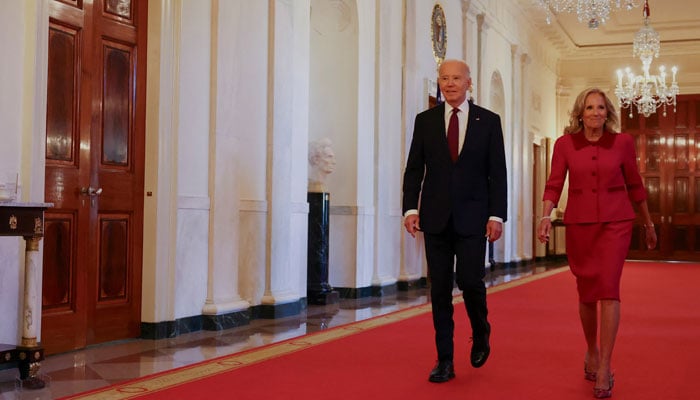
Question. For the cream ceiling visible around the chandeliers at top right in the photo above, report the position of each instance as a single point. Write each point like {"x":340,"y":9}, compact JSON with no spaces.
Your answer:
{"x":677,"y":22}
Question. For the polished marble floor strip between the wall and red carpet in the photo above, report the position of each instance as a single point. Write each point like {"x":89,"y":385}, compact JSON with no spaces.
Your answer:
{"x":116,"y":362}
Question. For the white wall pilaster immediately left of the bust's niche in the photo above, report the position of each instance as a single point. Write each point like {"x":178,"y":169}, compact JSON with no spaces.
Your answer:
{"x":282,"y":278}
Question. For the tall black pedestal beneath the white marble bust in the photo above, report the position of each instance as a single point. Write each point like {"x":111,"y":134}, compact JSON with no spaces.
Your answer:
{"x":318,"y":291}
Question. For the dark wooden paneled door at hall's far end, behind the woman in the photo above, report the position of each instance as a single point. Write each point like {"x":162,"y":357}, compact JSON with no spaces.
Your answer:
{"x":668,"y":149}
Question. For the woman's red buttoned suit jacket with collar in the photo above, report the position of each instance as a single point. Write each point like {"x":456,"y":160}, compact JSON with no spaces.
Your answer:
{"x":603,"y":178}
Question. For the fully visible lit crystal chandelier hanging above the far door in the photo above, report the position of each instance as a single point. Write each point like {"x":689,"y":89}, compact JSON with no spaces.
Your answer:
{"x":647,"y":92}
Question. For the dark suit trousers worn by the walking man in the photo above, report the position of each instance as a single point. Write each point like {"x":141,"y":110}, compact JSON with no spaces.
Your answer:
{"x":469,"y":251}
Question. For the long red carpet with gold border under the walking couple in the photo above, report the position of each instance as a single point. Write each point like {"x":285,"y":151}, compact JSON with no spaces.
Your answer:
{"x":537,"y":351}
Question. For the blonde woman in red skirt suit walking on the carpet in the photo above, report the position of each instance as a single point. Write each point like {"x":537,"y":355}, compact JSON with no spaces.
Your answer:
{"x":604,"y":182}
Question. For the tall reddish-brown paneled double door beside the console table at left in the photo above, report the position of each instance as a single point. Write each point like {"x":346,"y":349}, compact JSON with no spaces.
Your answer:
{"x":94,"y":172}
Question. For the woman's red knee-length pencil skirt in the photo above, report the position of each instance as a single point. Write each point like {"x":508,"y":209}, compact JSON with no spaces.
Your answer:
{"x":596,"y":253}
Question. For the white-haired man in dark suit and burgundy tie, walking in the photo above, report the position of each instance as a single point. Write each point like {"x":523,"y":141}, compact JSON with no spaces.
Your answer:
{"x":456,"y":167}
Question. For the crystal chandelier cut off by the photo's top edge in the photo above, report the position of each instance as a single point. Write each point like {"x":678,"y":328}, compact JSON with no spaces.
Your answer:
{"x":593,"y":12}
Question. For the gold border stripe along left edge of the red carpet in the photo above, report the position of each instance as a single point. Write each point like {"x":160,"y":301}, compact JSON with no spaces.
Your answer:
{"x":245,"y":358}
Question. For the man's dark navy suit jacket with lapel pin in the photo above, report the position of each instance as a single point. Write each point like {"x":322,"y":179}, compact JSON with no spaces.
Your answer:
{"x":470,"y":189}
